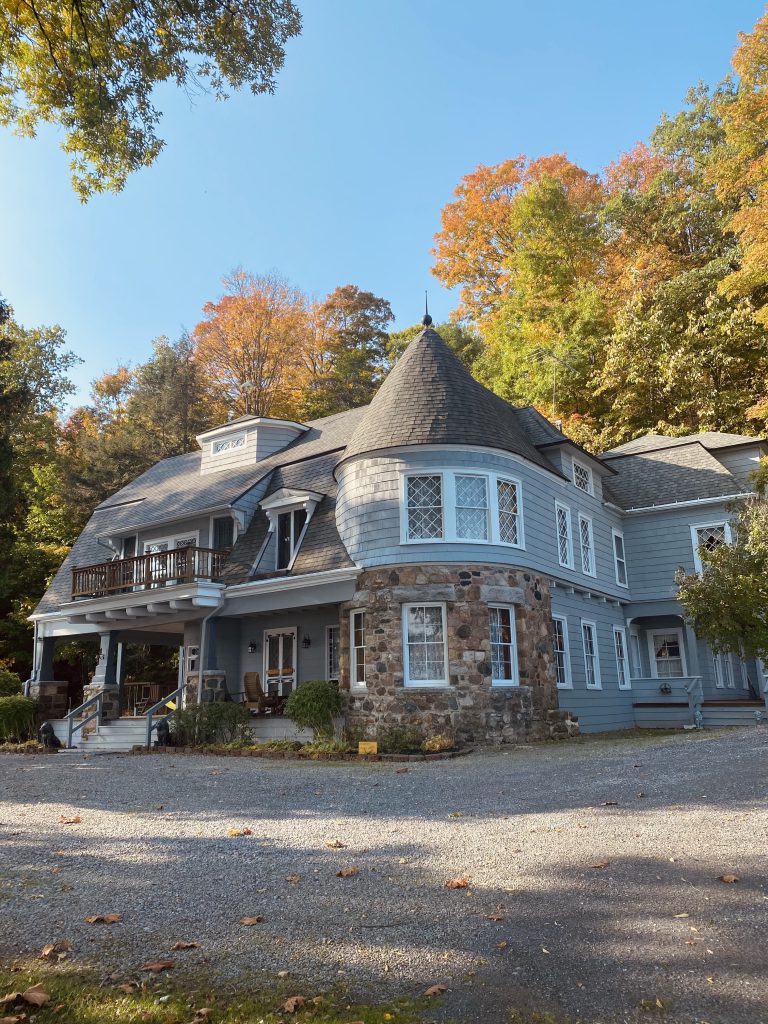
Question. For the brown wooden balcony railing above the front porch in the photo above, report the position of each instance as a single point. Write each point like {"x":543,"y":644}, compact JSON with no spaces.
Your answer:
{"x":159,"y":569}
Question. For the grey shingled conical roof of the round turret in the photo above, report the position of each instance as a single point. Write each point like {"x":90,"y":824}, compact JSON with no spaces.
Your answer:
{"x":432,"y":399}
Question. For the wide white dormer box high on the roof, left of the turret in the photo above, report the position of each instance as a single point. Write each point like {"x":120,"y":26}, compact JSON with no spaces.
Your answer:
{"x":245,"y":442}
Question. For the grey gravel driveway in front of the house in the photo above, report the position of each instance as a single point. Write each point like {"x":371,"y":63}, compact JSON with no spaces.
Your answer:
{"x":592,"y":867}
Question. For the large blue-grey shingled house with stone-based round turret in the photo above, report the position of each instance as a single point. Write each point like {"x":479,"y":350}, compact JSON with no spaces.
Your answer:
{"x":451,"y":560}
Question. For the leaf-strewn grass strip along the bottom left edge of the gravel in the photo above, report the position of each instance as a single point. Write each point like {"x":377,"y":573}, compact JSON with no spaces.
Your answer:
{"x":82,"y":998}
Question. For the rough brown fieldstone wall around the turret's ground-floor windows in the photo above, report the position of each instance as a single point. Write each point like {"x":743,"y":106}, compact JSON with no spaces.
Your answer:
{"x":470,"y":707}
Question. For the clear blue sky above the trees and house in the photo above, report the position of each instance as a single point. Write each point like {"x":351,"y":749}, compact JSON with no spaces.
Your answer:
{"x":340,"y":177}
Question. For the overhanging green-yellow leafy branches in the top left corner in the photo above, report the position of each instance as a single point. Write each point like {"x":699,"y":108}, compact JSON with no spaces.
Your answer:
{"x":93,"y":67}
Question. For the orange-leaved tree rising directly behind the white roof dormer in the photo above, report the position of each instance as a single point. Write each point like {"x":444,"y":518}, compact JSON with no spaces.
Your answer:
{"x":250,"y":346}
